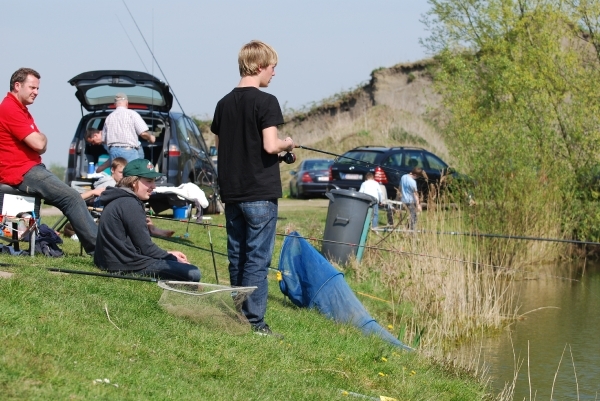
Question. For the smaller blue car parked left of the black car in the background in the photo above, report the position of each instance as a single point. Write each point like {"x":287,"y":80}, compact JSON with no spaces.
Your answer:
{"x":311,"y":178}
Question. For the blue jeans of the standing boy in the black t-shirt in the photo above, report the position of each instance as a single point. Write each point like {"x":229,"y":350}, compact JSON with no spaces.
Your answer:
{"x":250,"y":241}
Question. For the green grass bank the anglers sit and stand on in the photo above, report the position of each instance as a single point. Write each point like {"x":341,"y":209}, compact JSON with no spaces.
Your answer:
{"x":63,"y":335}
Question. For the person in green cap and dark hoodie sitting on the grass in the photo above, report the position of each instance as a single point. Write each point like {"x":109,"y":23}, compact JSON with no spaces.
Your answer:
{"x":124,"y":243}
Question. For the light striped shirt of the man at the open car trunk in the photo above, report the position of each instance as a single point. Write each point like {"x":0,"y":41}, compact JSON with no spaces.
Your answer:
{"x":122,"y":128}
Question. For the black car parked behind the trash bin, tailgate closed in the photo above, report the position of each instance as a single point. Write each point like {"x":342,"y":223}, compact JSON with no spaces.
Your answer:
{"x":387,"y":165}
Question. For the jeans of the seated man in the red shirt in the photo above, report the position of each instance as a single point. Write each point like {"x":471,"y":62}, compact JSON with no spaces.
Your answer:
{"x":41,"y":182}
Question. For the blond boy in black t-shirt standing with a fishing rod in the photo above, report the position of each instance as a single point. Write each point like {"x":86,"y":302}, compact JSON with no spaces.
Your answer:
{"x":245,"y":124}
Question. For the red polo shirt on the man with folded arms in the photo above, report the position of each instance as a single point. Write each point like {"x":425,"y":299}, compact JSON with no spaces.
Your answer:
{"x":16,"y":158}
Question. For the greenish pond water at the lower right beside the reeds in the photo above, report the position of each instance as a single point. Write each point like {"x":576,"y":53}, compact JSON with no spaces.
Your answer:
{"x":565,"y":316}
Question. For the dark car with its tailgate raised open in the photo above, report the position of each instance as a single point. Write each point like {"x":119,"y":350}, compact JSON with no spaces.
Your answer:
{"x":179,"y":152}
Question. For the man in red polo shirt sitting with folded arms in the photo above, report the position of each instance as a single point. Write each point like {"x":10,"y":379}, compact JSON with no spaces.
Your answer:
{"x":21,"y":147}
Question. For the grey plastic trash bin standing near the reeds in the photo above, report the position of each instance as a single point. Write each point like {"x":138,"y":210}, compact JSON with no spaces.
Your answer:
{"x":346,"y":218}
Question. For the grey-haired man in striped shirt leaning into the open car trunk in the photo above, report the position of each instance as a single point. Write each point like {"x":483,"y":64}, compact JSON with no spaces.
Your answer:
{"x":122,"y":129}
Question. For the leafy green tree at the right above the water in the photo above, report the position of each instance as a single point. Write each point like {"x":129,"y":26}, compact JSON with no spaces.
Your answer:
{"x":520,"y":83}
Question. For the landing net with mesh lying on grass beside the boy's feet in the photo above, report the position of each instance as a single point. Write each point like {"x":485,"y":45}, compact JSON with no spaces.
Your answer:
{"x":216,"y":307}
